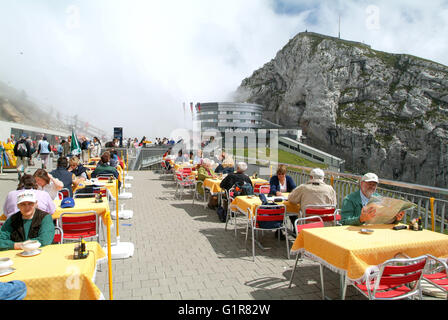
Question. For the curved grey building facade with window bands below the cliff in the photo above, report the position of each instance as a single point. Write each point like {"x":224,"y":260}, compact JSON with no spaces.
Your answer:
{"x":229,"y":116}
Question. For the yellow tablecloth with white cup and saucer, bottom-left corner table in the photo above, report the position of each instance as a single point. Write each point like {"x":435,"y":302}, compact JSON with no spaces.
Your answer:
{"x":54,"y":274}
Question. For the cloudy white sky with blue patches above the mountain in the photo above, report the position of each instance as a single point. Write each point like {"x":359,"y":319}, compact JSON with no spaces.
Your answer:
{"x":133,"y":63}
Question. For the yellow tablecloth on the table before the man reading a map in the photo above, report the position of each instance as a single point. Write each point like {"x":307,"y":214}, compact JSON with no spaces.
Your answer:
{"x":346,"y":249}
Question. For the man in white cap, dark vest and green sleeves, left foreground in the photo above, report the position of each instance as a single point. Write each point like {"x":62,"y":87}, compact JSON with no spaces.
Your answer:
{"x":30,"y":223}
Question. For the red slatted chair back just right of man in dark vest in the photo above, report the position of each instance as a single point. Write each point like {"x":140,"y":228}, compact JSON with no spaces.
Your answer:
{"x":79,"y":224}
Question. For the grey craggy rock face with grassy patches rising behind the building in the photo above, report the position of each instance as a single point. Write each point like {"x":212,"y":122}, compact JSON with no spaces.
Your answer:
{"x":381,"y":112}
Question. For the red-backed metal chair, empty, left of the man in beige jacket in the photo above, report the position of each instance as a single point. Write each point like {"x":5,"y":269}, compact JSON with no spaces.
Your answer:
{"x":267,"y":217}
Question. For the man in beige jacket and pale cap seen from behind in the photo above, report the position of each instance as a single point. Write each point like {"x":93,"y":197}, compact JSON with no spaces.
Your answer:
{"x":314,"y":192}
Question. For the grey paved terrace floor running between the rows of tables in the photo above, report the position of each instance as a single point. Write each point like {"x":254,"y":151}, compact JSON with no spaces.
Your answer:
{"x":183,"y":252}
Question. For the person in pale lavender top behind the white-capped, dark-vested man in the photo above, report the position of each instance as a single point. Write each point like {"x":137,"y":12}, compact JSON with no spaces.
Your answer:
{"x":27,"y":182}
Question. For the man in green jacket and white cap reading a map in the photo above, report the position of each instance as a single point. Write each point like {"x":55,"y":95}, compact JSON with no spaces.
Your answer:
{"x":353,"y":211}
